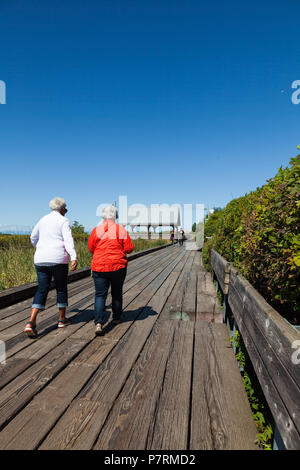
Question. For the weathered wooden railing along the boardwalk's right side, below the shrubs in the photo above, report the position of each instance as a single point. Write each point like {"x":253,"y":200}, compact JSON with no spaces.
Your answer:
{"x":272,"y":345}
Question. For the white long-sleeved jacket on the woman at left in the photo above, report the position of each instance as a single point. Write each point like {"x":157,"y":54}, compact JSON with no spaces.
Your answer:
{"x":52,"y":238}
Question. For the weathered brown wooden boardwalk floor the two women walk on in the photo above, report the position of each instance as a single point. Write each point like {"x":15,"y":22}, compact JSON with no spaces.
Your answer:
{"x":165,"y":378}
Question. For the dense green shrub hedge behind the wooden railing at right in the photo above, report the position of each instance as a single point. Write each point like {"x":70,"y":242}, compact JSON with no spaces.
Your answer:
{"x":259,"y":233}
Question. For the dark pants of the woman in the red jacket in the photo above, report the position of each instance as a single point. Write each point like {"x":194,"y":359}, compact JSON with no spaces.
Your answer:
{"x":102,"y":281}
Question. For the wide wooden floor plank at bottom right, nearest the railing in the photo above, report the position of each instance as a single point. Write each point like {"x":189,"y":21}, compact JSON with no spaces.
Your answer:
{"x":217,"y":394}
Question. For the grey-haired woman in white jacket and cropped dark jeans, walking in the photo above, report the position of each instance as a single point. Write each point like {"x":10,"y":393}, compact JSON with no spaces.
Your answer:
{"x":52,"y":238}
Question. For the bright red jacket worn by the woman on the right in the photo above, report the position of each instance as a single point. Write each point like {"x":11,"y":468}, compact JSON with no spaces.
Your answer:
{"x":109,"y":243}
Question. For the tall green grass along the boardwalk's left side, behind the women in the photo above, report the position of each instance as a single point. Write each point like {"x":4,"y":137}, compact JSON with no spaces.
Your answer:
{"x":16,"y":259}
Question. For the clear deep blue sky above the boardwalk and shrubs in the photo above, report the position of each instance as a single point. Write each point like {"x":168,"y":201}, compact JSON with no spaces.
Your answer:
{"x":162,"y":101}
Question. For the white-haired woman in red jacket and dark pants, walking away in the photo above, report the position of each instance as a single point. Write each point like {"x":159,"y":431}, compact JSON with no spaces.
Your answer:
{"x":109,"y":243}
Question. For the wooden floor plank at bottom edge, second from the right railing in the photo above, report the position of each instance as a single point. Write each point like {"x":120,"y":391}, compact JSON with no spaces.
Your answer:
{"x":170,"y":426}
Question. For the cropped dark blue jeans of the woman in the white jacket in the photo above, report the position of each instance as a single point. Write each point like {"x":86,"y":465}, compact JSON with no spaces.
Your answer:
{"x":44,"y":275}
